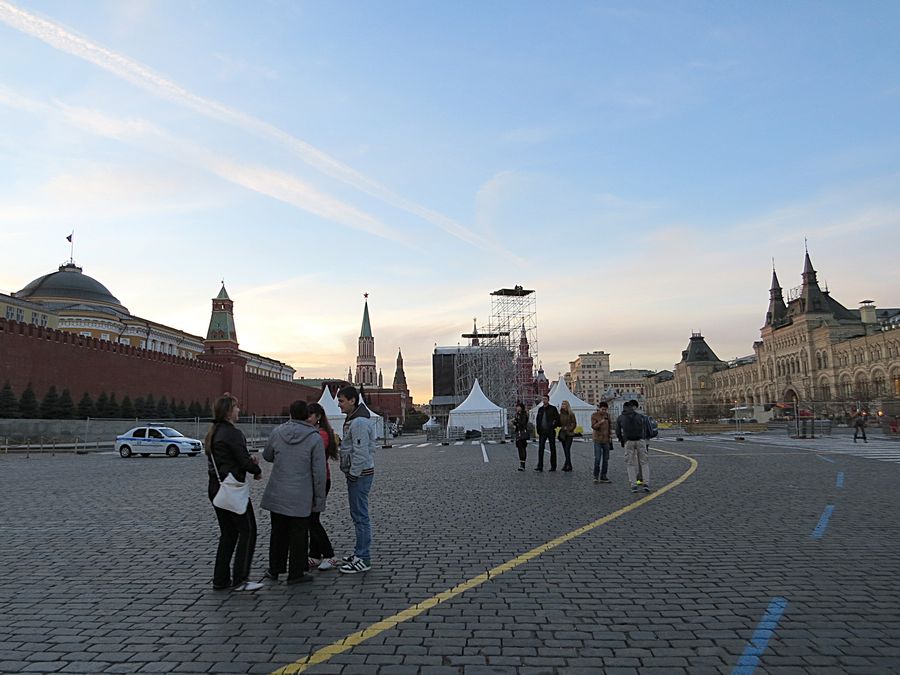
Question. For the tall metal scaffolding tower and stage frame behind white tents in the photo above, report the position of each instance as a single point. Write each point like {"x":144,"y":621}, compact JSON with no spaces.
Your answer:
{"x":491,"y":356}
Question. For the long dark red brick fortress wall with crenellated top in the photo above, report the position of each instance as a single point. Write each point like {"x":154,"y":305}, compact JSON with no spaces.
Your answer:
{"x":45,"y":357}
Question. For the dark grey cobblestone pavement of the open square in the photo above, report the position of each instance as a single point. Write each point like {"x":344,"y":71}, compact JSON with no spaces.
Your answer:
{"x":107,"y":565}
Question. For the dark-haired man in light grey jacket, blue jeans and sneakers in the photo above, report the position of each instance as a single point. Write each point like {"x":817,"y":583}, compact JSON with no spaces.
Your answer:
{"x":358,"y":464}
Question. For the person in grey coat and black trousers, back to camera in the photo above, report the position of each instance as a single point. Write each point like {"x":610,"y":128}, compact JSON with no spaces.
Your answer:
{"x":296,"y":488}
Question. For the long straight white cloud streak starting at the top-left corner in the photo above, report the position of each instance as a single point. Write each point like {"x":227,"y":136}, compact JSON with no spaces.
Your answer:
{"x":141,"y":76}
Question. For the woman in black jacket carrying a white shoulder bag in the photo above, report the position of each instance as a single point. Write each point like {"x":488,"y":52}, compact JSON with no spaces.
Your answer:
{"x":226,"y":453}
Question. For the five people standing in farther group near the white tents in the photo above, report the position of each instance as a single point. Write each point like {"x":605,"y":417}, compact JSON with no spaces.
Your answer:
{"x":632,"y":429}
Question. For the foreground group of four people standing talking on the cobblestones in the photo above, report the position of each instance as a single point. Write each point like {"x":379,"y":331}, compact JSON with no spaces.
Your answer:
{"x":295,"y":495}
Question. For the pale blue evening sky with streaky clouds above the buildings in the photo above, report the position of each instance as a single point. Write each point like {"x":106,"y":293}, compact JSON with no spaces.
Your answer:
{"x":638,"y":164}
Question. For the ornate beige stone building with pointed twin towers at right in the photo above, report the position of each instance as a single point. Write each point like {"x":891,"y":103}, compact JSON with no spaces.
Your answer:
{"x":813,"y":351}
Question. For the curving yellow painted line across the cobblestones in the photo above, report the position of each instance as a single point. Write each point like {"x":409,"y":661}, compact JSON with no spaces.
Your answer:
{"x":345,"y":644}
